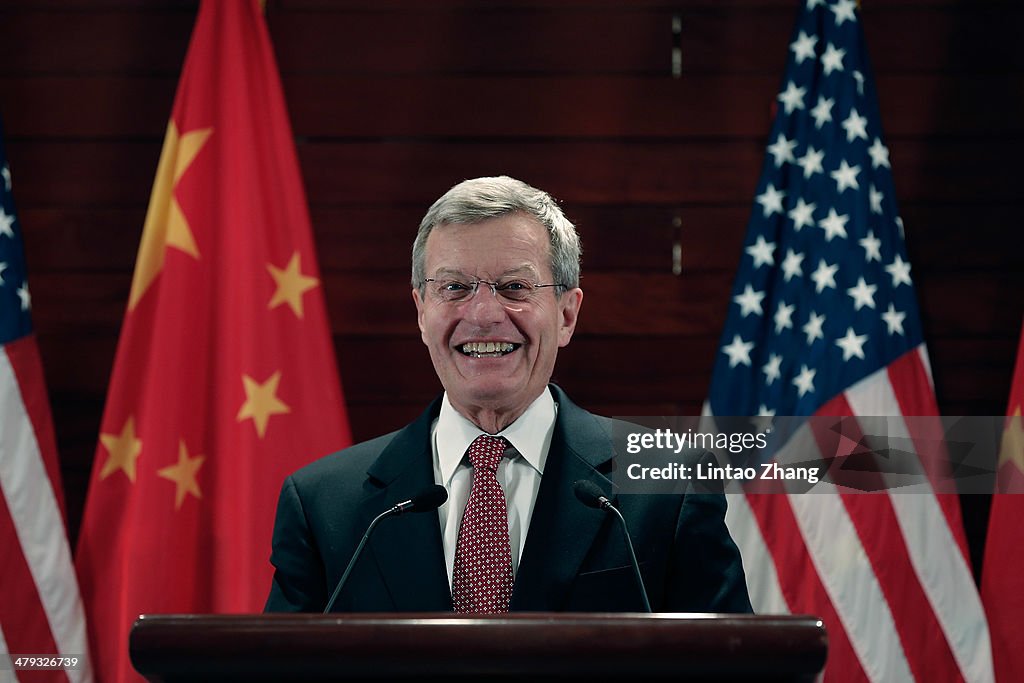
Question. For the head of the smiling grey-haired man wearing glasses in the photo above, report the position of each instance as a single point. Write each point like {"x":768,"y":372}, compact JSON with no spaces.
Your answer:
{"x":492,"y":312}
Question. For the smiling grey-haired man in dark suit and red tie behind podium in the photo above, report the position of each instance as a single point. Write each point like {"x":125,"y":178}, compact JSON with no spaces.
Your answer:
{"x":496,"y":284}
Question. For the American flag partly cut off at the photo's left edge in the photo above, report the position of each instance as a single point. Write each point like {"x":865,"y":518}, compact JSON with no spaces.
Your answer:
{"x":40,"y":607}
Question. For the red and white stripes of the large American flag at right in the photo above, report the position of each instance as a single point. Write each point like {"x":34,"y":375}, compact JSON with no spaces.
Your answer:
{"x":888,"y":573}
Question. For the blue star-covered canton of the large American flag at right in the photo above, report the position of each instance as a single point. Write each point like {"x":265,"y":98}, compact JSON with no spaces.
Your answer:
{"x":824,"y":295}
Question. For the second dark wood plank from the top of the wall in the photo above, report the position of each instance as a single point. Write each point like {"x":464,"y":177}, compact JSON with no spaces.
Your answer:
{"x":617,"y":107}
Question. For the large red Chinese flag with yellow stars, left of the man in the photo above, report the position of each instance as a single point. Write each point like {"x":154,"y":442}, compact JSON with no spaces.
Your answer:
{"x":225,"y":379}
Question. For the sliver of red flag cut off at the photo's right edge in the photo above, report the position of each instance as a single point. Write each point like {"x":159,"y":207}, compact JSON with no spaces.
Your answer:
{"x":1003,"y":577}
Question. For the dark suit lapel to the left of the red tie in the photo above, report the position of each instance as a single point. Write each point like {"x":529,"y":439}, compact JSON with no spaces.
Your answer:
{"x":408,"y":550}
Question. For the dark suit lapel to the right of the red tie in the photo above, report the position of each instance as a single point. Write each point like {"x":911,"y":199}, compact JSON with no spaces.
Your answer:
{"x":563,"y":530}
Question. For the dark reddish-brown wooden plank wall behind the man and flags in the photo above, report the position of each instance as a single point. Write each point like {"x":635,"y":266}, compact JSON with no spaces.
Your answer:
{"x":393,"y":103}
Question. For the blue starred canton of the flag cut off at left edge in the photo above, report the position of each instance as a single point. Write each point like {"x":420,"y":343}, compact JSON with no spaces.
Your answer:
{"x":15,"y":300}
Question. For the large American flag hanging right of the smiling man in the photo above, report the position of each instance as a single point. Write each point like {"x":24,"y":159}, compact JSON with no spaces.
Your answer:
{"x":824,"y":321}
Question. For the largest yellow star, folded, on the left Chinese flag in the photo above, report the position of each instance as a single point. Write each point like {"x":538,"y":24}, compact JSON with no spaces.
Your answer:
{"x":165,"y":225}
